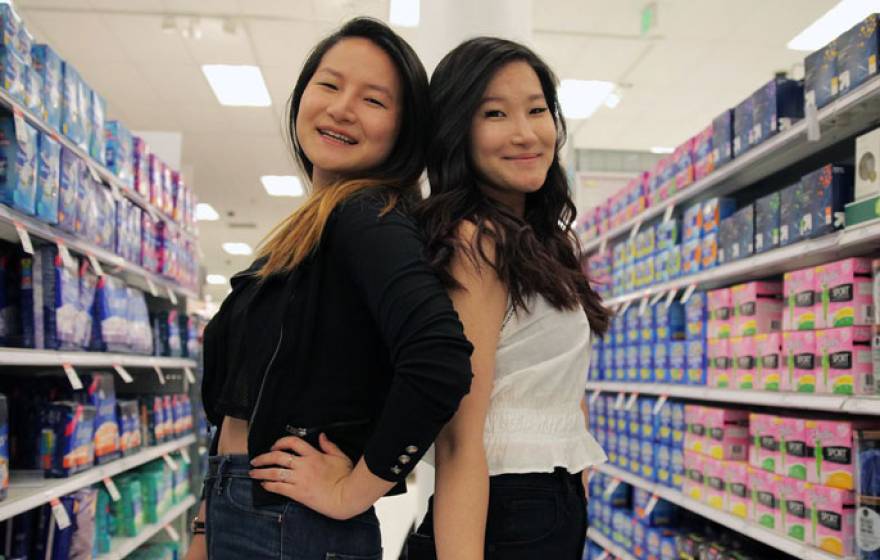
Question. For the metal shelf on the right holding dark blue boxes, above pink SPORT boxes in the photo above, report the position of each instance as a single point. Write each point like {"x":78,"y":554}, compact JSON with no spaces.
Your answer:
{"x":839,"y":245}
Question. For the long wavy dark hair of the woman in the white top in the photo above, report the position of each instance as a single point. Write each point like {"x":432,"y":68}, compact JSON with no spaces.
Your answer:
{"x":536,"y":254}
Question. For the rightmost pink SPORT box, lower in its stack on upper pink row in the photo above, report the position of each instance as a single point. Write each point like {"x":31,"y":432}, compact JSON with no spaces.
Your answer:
{"x":846,"y":362}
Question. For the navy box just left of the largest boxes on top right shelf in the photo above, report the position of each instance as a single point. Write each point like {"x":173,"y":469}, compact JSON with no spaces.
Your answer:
{"x":777,"y":105}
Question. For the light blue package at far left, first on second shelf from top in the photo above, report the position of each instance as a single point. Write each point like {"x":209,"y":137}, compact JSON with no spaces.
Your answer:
{"x":18,"y":166}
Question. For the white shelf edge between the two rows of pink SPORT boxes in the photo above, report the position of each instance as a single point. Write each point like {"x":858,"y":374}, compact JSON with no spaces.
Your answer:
{"x":863,"y":405}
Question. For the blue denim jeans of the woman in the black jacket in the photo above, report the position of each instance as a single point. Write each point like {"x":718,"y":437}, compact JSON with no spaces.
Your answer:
{"x":236,"y":529}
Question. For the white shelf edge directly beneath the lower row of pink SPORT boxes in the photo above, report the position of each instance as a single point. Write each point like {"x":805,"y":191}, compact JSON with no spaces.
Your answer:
{"x":748,"y":528}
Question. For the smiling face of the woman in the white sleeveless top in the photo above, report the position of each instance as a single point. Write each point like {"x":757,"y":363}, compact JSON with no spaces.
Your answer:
{"x":513,"y":136}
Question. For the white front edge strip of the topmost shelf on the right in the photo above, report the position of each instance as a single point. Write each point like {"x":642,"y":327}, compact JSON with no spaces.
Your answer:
{"x":797,"y":133}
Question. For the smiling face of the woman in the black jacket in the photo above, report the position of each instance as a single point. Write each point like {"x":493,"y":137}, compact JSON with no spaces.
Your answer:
{"x":349,"y":115}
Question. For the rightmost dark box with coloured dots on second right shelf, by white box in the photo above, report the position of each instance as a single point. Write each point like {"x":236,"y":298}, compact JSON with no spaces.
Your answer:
{"x":826,"y":190}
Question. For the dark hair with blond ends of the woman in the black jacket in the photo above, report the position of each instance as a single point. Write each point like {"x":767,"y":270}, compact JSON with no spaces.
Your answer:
{"x":298,"y":235}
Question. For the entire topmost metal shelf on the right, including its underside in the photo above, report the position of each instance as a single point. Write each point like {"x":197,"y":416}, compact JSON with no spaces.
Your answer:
{"x":857,"y":111}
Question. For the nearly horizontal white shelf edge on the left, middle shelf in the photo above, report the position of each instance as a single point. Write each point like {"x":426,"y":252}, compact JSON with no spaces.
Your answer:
{"x":30,"y":357}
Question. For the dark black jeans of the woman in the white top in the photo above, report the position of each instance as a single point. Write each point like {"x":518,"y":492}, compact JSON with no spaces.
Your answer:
{"x":534,"y":516}
